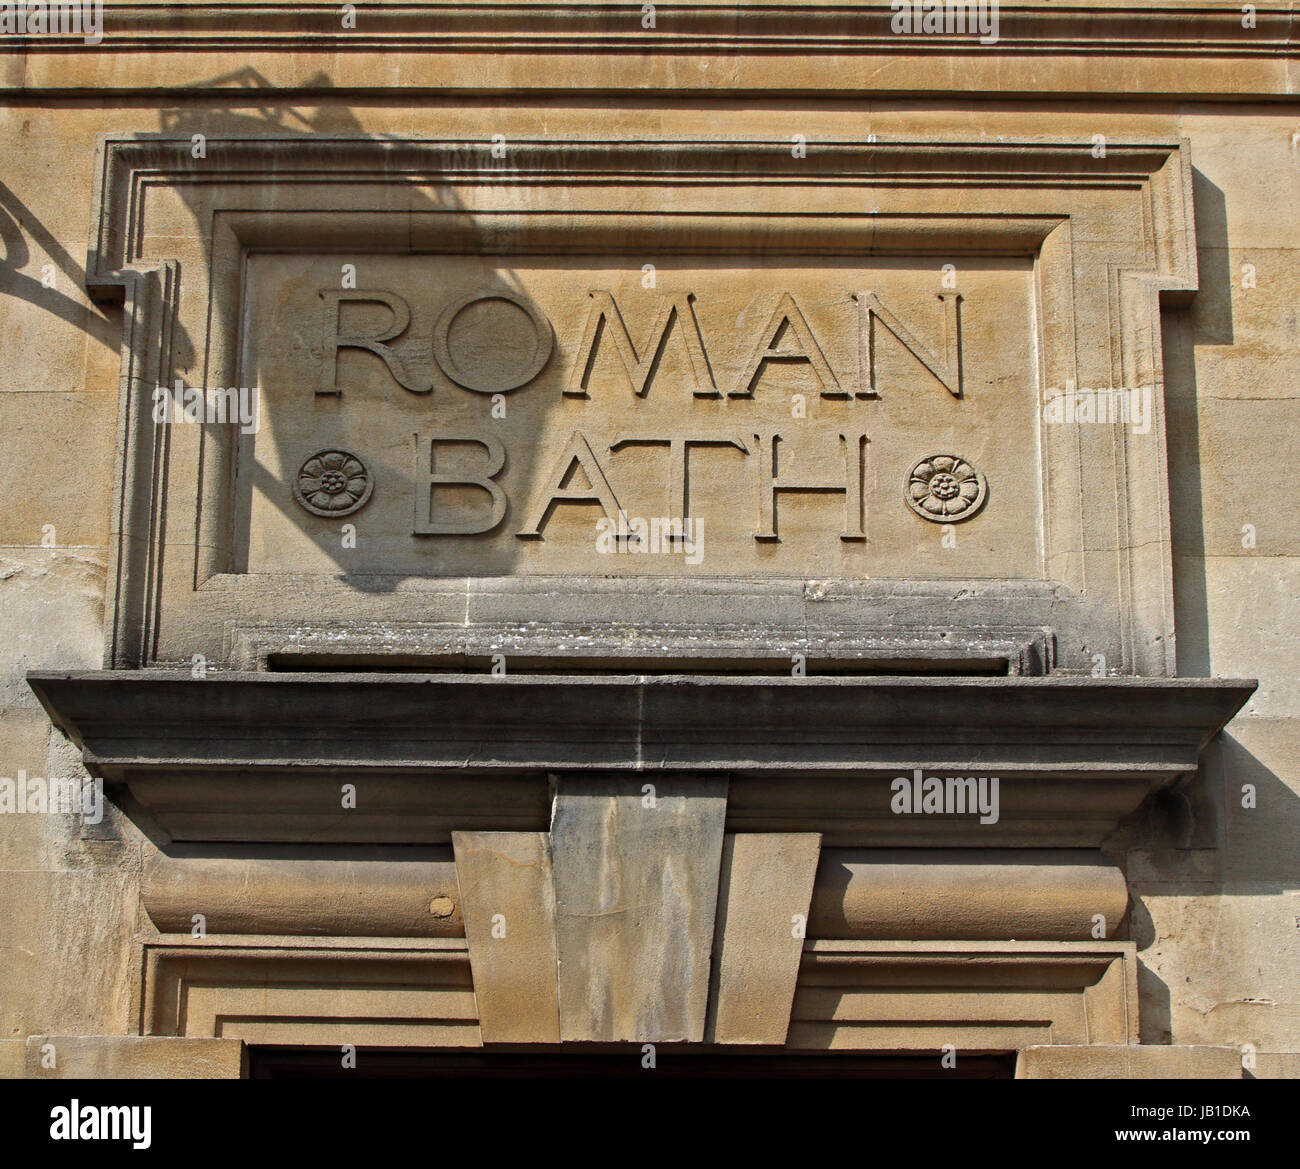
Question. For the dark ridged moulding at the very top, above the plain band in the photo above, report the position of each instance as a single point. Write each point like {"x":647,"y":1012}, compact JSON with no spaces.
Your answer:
{"x":855,"y":29}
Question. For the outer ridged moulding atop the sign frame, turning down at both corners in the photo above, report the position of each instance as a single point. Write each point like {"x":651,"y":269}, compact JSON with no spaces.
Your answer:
{"x":129,"y":162}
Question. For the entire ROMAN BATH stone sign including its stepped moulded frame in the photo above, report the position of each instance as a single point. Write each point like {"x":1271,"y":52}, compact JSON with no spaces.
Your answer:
{"x":645,"y":401}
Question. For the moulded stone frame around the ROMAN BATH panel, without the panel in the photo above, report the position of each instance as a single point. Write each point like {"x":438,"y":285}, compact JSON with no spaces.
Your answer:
{"x":1110,"y":237}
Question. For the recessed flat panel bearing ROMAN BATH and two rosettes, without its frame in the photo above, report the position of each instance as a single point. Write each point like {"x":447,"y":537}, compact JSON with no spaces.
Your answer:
{"x":601,"y":417}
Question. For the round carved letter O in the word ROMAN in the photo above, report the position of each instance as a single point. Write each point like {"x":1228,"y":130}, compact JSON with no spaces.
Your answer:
{"x":492,"y":343}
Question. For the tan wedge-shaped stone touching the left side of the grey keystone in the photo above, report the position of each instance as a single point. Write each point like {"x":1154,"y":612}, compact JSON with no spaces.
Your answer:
{"x":509,"y":902}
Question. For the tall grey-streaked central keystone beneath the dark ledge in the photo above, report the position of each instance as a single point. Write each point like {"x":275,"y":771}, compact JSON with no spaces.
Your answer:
{"x":636,"y":889}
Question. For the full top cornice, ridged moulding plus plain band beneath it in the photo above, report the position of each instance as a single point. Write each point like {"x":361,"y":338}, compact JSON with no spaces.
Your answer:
{"x":695,"y":49}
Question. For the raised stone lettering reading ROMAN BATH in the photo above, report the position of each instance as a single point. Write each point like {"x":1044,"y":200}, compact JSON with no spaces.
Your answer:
{"x":786,"y":339}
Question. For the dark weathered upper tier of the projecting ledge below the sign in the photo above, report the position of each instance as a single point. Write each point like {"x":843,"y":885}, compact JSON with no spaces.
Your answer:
{"x":470,"y":724}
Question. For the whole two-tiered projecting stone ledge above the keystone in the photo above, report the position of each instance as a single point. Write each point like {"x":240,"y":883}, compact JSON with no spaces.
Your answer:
{"x":259,"y":757}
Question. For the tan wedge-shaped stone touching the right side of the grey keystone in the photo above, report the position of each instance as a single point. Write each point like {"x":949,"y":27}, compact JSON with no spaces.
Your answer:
{"x":765,"y":887}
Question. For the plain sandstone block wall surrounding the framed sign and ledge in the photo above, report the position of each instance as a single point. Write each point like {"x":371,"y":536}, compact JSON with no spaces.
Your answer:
{"x":1219,"y":921}
